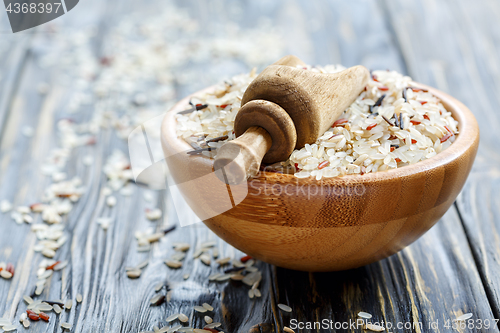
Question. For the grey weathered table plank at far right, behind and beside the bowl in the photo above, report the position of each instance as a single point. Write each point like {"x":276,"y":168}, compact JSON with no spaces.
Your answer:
{"x":462,"y":61}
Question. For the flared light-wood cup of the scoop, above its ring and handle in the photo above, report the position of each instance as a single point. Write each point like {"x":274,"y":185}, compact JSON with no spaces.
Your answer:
{"x":313,"y":100}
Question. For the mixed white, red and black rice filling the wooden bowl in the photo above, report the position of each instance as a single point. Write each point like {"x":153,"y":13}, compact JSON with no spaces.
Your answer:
{"x":390,"y":125}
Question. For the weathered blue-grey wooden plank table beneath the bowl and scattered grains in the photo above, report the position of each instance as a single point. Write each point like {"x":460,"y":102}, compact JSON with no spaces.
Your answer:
{"x":452,"y":270}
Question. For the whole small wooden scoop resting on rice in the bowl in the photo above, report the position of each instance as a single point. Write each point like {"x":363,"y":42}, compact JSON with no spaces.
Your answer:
{"x":284,"y":108}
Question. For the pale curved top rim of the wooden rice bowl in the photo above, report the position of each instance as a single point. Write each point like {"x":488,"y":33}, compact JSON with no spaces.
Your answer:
{"x":465,"y":140}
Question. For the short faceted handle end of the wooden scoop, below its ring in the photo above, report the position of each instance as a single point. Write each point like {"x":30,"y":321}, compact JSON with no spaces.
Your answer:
{"x":240,"y":158}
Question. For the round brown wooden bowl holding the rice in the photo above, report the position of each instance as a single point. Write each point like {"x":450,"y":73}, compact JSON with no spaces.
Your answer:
{"x":332,"y":224}
